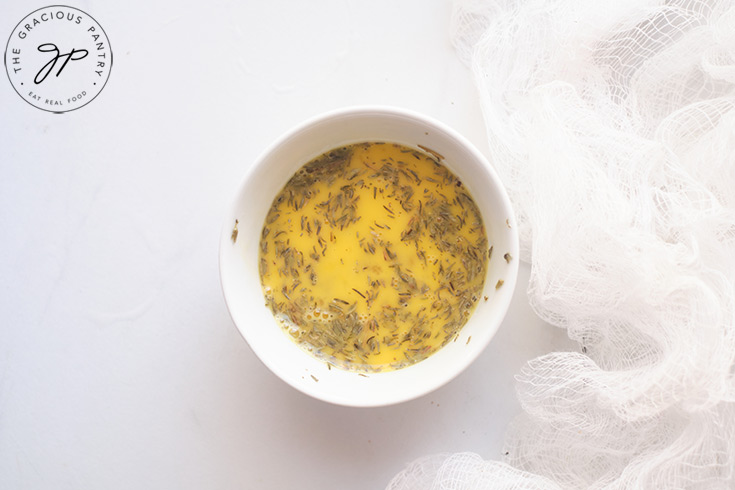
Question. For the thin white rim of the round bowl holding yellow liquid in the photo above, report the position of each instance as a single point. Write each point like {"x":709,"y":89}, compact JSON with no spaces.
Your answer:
{"x":386,"y":110}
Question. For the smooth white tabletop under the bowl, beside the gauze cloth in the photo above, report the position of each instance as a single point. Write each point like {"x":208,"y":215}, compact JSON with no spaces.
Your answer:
{"x":119,"y":364}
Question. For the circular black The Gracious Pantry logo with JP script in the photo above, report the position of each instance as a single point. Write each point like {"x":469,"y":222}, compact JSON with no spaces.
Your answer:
{"x":64,"y":59}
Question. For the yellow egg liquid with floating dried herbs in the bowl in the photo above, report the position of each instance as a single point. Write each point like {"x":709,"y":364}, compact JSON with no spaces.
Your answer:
{"x":373,"y":256}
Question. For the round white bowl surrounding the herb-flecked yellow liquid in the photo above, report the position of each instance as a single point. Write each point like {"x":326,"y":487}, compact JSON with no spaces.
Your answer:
{"x":238,"y":260}
